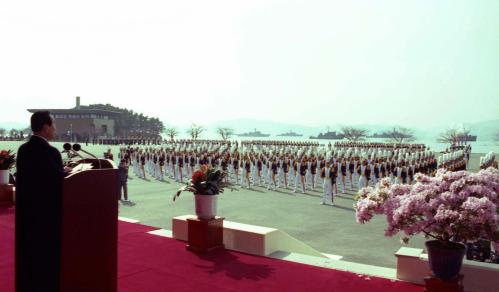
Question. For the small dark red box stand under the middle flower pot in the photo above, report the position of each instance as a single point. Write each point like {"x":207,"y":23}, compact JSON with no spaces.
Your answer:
{"x":205,"y":235}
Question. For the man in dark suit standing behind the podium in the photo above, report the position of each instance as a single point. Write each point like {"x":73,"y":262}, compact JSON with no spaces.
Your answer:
{"x":40,"y":173}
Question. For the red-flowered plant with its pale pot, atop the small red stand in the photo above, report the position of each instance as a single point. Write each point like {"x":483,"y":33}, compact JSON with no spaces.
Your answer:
{"x":206,"y":183}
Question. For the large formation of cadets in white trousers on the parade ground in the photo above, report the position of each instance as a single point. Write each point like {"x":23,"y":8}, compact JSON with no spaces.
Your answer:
{"x":300,"y":166}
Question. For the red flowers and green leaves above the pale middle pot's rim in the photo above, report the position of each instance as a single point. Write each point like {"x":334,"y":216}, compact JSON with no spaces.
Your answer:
{"x":206,"y":181}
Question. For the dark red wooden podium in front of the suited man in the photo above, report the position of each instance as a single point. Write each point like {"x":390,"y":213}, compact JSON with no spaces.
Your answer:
{"x":89,"y":229}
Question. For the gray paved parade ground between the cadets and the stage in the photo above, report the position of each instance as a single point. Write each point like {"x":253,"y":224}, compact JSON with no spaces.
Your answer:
{"x":326,"y":228}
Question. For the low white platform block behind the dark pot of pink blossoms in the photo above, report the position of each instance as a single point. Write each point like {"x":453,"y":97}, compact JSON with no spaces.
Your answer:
{"x":412,"y":266}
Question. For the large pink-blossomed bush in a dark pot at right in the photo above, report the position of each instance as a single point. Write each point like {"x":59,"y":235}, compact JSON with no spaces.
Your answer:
{"x":452,"y":208}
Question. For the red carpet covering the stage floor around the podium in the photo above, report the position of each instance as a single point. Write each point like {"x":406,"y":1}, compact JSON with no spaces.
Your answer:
{"x":150,"y":263}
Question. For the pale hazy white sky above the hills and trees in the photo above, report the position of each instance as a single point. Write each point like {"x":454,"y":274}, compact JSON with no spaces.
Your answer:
{"x":310,"y":62}
